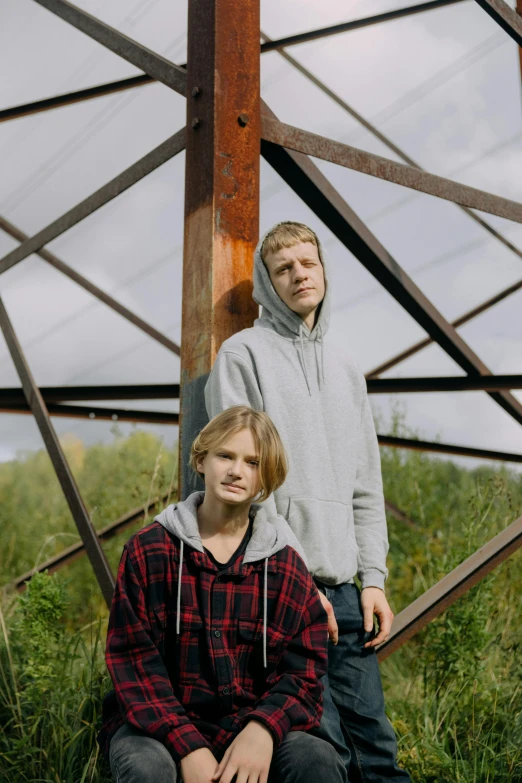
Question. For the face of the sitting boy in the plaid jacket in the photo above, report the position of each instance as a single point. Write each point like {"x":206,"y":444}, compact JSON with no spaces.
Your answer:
{"x":231,"y":471}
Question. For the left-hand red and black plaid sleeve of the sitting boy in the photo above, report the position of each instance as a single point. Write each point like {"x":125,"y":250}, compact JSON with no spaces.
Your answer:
{"x":143,"y":689}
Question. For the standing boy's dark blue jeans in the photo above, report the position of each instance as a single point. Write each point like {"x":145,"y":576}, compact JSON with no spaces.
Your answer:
{"x":354,"y":720}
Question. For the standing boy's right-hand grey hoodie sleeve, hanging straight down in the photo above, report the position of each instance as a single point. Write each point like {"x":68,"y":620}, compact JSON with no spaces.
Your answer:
{"x":368,"y":505}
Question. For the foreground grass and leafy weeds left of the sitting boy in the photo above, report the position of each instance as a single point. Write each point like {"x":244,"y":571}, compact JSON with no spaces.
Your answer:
{"x":52,"y":682}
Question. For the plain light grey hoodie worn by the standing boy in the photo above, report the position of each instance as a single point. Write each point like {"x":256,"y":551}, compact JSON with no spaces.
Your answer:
{"x":316,"y":397}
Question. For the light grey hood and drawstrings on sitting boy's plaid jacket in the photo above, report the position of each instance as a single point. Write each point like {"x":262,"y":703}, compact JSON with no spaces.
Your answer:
{"x":270,"y":534}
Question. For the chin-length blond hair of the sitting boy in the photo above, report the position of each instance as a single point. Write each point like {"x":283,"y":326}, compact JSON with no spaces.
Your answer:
{"x":273,"y":465}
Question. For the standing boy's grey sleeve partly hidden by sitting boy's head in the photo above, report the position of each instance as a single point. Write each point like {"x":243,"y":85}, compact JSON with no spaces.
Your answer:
{"x":233,"y":381}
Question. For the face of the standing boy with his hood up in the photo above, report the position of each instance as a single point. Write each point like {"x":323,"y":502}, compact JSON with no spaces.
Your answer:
{"x":297,"y":275}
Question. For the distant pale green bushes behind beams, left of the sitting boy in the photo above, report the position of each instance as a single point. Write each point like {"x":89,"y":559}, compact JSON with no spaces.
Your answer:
{"x":35,"y":522}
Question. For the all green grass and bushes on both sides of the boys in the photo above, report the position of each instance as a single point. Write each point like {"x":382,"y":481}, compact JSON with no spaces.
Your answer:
{"x":453,"y":693}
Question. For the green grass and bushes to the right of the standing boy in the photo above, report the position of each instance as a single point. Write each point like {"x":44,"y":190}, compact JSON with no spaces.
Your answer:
{"x":454,"y":692}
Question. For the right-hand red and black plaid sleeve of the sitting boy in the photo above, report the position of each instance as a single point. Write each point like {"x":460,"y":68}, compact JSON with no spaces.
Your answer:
{"x":294,"y":701}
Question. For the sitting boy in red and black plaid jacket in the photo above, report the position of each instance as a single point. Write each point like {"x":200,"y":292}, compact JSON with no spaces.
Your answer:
{"x":217,"y":637}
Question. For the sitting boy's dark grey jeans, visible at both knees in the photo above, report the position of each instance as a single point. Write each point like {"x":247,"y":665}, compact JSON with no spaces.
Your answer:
{"x":301,"y":758}
